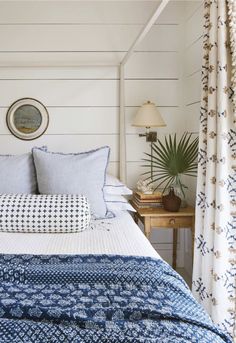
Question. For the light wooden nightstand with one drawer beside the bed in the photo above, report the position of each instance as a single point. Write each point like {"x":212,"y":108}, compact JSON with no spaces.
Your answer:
{"x":158,"y":218}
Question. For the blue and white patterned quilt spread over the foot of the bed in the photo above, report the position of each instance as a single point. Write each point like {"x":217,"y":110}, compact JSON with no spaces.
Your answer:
{"x":98,"y":298}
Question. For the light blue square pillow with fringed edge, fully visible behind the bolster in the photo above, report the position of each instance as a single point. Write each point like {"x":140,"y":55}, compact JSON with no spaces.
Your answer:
{"x":81,"y":173}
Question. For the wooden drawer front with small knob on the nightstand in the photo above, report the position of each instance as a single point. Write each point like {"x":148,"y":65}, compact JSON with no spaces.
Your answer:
{"x":171,"y":222}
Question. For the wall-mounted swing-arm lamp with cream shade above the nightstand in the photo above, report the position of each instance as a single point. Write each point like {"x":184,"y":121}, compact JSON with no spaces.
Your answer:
{"x":148,"y":116}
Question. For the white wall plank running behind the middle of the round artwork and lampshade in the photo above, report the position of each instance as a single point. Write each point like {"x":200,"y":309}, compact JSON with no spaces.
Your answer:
{"x":99,"y":120}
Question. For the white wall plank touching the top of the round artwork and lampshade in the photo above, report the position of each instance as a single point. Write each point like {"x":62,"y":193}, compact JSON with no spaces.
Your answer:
{"x":89,"y":92}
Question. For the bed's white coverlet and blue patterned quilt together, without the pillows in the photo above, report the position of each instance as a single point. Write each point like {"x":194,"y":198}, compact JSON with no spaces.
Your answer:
{"x":106,"y":284}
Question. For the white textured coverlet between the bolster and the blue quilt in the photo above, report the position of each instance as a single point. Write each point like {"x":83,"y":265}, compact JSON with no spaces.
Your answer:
{"x":118,"y":236}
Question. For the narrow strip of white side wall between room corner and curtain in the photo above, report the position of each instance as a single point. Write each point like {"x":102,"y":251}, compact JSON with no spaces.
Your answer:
{"x":192,"y":86}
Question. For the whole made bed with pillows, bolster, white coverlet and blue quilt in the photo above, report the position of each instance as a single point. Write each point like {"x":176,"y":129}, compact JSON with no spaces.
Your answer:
{"x":74,"y":267}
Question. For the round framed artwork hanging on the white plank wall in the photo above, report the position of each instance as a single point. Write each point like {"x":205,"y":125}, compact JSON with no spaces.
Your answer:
{"x":27,"y":118}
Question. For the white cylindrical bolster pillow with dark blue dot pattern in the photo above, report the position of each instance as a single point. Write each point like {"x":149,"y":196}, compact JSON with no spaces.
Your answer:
{"x":59,"y":213}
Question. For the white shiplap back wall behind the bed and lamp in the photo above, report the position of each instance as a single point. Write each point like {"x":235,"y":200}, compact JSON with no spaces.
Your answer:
{"x":44,"y":43}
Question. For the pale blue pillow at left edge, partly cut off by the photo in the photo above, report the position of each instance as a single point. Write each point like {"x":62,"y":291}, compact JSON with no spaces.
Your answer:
{"x":17,"y":174}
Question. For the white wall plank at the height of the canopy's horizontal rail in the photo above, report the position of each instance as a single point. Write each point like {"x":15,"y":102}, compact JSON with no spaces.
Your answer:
{"x":155,"y":64}
